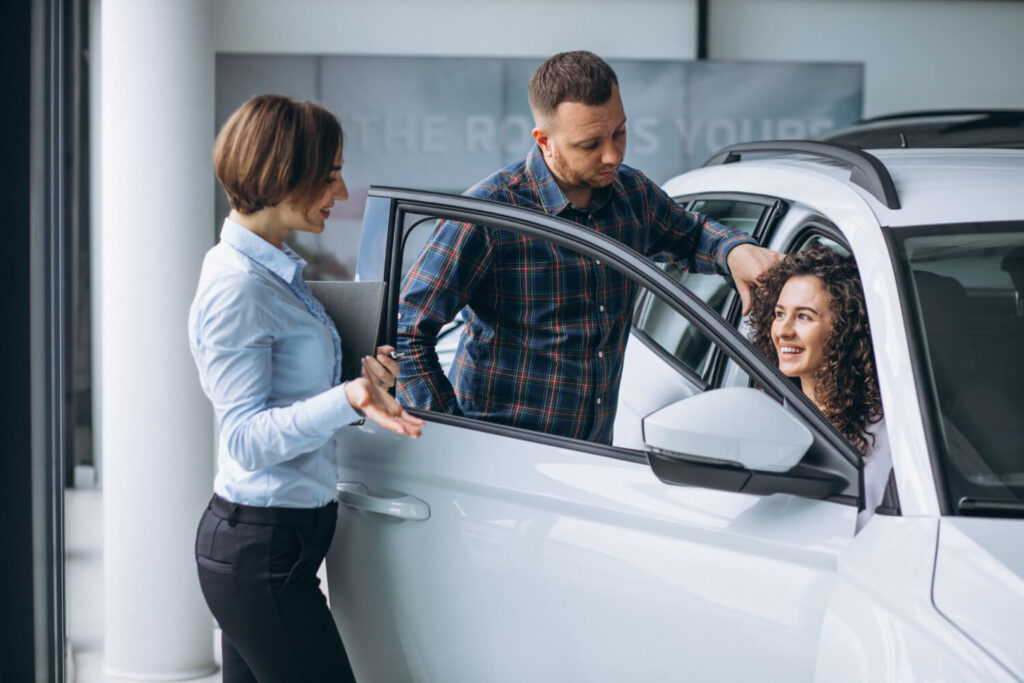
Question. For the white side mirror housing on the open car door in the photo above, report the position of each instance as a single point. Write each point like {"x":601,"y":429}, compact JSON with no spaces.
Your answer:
{"x":738,"y":426}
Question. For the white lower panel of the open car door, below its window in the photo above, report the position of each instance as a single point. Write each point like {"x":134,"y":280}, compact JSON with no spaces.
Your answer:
{"x":588,"y":568}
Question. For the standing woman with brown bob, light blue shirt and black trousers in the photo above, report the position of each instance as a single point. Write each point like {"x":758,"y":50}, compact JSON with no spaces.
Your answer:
{"x":270,"y":360}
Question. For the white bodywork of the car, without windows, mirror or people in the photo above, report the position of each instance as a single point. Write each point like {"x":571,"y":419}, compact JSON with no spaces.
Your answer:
{"x":483,"y":552}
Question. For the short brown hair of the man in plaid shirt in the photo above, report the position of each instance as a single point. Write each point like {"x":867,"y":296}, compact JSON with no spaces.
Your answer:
{"x":571,"y":77}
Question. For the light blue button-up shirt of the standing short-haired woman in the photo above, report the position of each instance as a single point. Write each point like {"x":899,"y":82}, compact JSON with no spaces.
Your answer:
{"x":270,"y":360}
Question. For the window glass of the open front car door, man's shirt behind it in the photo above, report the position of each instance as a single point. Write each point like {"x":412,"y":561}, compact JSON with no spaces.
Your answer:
{"x":563,"y":321}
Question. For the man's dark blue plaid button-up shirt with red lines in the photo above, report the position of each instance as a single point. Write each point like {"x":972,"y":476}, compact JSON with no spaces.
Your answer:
{"x":546,"y":328}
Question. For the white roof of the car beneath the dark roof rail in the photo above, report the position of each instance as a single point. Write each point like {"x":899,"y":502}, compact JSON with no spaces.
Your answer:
{"x":933,"y":186}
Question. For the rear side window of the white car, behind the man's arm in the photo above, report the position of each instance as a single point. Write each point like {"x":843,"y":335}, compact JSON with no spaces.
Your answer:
{"x":675,"y":336}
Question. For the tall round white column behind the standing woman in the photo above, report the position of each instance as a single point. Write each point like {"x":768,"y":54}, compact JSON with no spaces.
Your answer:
{"x":157,"y":133}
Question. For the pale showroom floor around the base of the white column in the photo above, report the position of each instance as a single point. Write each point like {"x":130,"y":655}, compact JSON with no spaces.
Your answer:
{"x":84,"y":589}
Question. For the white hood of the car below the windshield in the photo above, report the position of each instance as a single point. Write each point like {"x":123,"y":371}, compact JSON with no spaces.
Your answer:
{"x":979,"y":584}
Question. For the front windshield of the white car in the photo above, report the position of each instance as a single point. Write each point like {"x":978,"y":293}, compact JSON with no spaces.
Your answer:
{"x":967,"y":288}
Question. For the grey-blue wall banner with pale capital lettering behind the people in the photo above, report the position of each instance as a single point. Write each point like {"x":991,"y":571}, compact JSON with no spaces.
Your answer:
{"x":445,"y":123}
